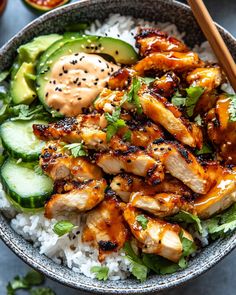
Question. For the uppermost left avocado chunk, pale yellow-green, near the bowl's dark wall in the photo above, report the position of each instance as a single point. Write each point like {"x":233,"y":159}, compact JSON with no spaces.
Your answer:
{"x":29,"y":52}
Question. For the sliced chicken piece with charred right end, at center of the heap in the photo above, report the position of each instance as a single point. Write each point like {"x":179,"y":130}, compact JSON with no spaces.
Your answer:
{"x":133,"y":161}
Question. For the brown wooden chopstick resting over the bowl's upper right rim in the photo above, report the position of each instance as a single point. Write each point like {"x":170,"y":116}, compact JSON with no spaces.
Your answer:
{"x":214,"y":38}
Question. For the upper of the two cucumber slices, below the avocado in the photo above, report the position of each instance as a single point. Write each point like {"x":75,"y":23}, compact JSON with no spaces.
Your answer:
{"x":19,"y":140}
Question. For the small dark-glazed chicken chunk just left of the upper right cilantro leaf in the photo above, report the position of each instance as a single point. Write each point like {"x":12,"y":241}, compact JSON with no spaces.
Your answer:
{"x":167,"y":85}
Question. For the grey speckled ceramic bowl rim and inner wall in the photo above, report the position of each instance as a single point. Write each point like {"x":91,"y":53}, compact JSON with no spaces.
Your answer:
{"x":55,"y":21}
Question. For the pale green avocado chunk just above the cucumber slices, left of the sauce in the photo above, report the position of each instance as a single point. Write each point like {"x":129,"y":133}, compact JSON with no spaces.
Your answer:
{"x":22,"y":89}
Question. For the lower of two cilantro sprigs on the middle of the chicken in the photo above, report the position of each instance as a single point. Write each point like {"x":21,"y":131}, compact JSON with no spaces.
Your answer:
{"x":114,"y":123}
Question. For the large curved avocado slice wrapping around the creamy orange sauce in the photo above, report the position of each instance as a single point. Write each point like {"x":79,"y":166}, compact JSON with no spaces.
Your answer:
{"x":122,"y":52}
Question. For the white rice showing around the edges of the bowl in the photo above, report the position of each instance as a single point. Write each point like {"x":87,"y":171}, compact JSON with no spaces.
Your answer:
{"x":69,"y":249}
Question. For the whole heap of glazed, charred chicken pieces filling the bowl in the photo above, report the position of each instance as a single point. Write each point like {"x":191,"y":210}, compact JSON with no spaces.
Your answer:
{"x":145,"y":153}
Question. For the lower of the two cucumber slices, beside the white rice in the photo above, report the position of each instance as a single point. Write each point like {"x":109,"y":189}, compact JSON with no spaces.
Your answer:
{"x":23,"y":185}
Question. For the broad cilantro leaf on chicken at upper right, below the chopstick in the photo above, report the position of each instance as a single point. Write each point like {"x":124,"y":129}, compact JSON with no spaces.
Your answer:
{"x":189,"y":102}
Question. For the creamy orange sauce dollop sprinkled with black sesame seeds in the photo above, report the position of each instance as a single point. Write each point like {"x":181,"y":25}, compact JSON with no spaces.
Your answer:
{"x":76,"y":80}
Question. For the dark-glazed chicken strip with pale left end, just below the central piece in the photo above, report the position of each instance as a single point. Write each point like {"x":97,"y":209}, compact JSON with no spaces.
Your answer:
{"x":125,"y":184}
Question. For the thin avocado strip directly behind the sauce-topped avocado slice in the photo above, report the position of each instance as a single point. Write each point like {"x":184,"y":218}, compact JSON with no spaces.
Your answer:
{"x":41,"y":65}
